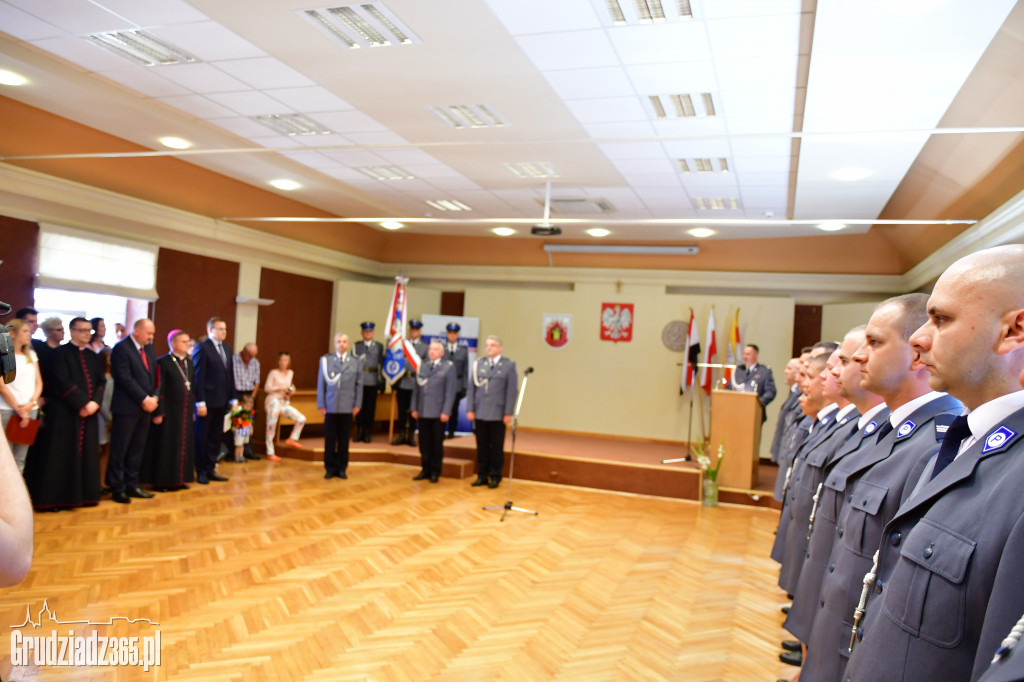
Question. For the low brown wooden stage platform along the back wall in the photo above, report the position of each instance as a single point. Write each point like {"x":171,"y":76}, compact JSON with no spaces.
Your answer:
{"x":626,"y":465}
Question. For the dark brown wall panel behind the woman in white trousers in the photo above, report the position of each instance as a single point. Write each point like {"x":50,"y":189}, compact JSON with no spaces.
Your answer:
{"x":300,"y":322}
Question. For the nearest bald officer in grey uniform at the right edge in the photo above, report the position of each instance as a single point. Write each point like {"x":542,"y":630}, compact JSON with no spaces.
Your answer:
{"x":949,"y":579}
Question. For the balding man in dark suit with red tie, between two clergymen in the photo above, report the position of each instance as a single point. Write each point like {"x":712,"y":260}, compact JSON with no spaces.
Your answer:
{"x":134,"y":366}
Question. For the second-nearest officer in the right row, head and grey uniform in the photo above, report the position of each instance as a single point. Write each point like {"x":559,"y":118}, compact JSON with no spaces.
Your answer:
{"x":876,"y":484}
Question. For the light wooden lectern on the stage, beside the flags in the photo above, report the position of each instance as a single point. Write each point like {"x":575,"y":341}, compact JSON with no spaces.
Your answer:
{"x":736,"y":422}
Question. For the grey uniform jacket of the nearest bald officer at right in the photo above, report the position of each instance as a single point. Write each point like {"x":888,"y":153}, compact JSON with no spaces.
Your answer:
{"x":950,"y":568}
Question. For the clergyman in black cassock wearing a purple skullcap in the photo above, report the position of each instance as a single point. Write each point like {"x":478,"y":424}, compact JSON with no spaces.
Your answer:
{"x":170,"y":455}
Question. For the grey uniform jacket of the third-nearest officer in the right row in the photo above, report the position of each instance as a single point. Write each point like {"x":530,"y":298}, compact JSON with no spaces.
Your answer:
{"x":805,"y":604}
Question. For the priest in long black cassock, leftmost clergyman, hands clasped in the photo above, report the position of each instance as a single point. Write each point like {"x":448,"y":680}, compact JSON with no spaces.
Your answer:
{"x":64,"y":473}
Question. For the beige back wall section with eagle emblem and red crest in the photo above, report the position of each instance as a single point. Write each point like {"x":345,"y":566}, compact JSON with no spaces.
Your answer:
{"x":621,"y":389}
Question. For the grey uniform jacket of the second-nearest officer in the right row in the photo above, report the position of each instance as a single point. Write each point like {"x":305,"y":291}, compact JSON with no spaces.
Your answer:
{"x":875,"y":487}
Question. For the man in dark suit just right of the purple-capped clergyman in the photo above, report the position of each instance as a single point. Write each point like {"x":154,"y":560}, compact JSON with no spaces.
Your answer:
{"x":215,"y":390}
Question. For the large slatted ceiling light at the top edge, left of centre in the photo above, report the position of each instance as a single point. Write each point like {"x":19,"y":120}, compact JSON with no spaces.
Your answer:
{"x":360,"y":25}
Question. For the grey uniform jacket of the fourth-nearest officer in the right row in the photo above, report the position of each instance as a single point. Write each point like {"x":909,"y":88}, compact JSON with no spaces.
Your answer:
{"x":803,"y":486}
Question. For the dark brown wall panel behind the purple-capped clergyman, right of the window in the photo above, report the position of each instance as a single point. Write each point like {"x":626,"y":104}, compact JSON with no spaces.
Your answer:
{"x":193,"y":289}
